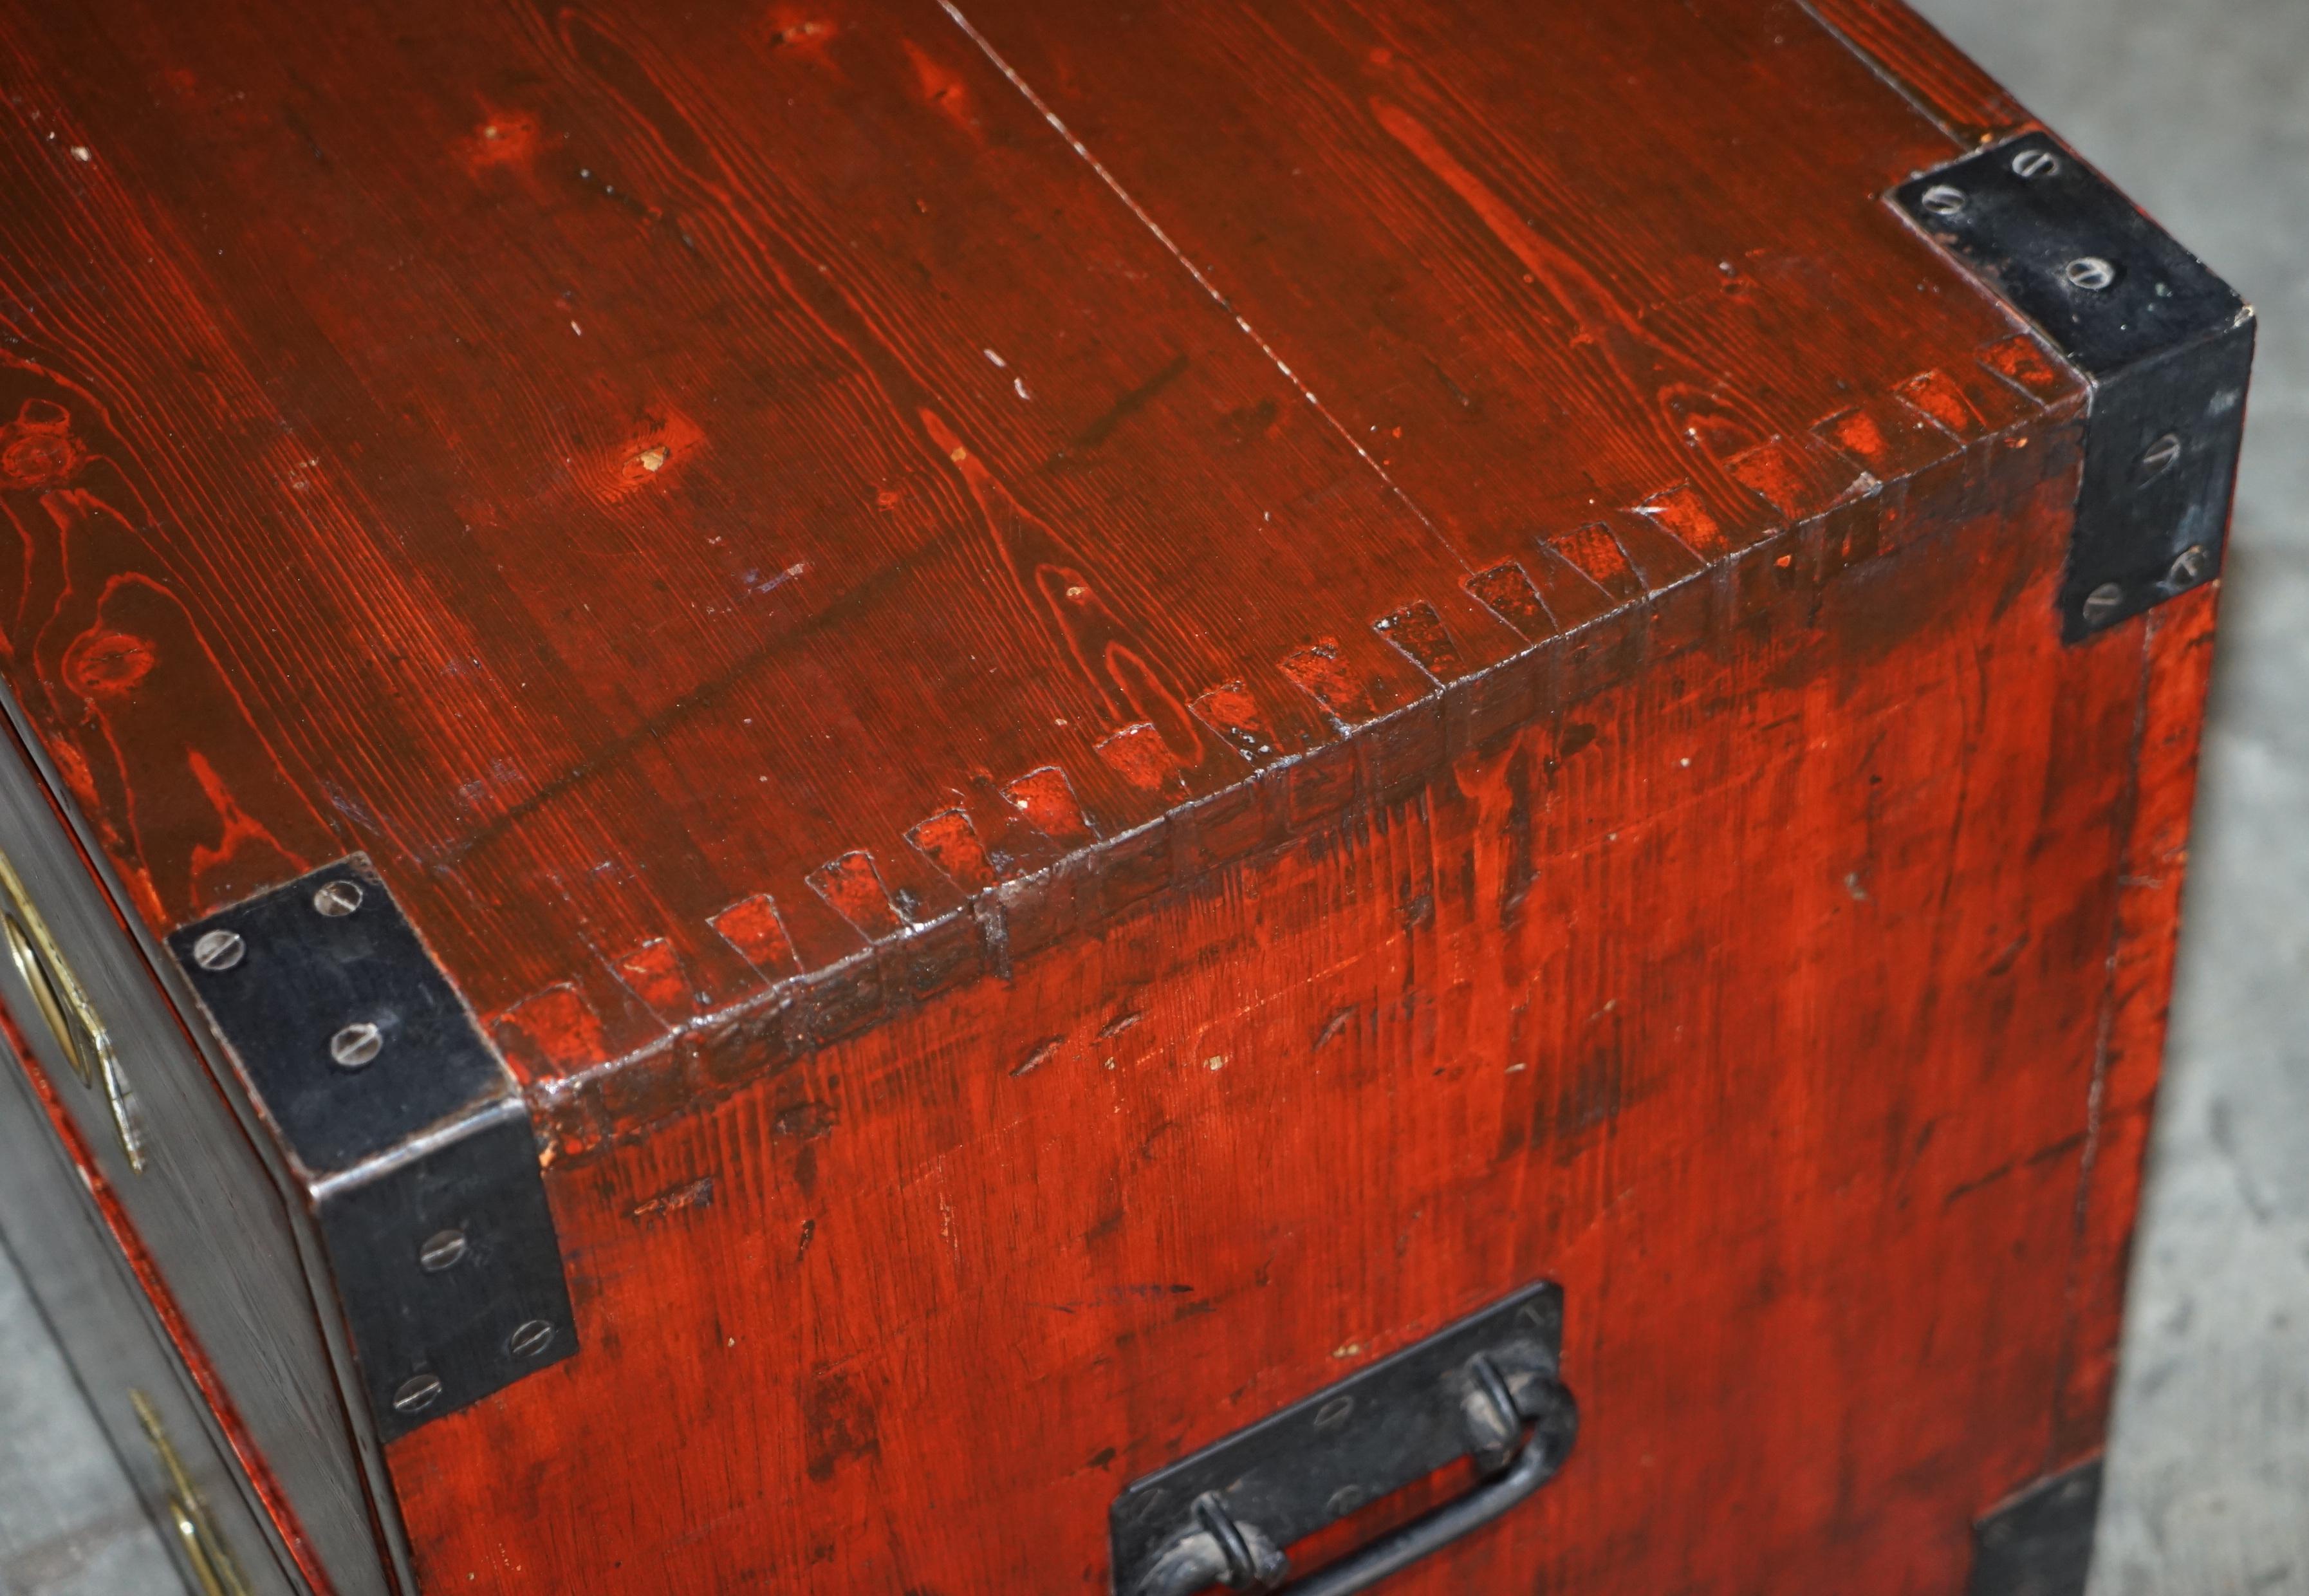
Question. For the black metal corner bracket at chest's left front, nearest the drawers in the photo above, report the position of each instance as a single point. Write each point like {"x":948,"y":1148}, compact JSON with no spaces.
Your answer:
{"x":408,"y":1131}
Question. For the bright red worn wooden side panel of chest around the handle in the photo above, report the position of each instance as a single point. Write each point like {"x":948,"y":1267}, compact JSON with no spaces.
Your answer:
{"x":1811,"y":920}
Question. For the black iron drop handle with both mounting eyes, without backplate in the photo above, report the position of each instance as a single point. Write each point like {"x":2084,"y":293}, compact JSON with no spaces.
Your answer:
{"x":1241,"y":1558}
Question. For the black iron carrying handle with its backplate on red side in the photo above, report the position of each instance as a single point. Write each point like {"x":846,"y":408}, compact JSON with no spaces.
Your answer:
{"x":1481,"y":1389}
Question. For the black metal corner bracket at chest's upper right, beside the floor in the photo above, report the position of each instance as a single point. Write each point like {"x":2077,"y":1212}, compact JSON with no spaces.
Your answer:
{"x":2165,"y":345}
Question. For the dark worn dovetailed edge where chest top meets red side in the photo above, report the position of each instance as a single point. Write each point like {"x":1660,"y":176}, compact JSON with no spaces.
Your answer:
{"x":1908,"y":445}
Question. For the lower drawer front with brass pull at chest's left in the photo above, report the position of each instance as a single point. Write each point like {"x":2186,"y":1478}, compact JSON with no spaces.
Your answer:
{"x":163,"y":1429}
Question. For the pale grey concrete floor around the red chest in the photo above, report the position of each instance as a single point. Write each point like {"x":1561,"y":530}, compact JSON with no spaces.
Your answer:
{"x":2202,"y":112}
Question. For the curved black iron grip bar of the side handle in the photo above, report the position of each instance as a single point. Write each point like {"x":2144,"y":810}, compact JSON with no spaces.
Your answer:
{"x":1200,"y":1560}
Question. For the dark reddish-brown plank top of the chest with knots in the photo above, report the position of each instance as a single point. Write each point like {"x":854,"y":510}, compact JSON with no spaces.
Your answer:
{"x":701,"y":491}
